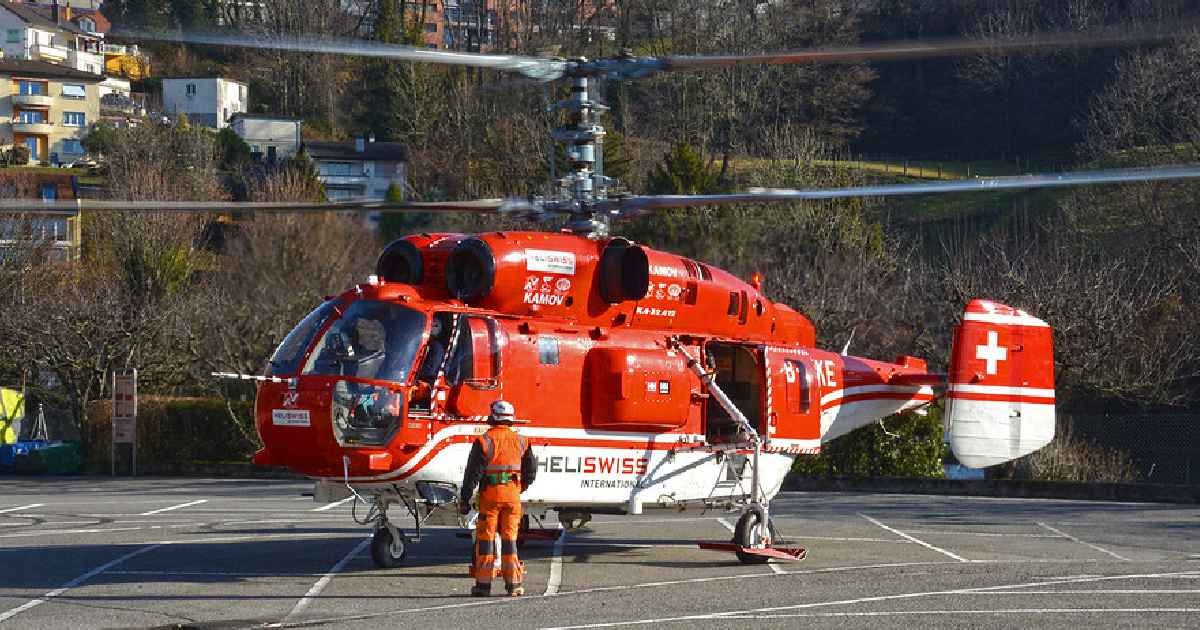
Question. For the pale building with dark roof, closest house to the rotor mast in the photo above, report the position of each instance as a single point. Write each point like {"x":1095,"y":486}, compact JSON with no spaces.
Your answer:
{"x":358,"y":170}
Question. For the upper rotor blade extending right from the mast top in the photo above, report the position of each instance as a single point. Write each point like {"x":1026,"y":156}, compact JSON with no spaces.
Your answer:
{"x":931,"y":50}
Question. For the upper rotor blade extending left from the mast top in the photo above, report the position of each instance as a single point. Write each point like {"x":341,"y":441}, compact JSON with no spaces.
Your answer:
{"x":529,"y":67}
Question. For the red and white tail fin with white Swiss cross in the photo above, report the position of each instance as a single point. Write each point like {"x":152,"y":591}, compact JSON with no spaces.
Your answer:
{"x":1000,"y":399}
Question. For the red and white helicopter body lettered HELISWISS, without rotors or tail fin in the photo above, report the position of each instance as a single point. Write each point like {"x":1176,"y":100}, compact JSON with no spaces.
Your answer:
{"x":388,"y":385}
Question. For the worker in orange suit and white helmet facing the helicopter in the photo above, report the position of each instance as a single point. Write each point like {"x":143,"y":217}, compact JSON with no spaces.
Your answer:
{"x":503,"y":466}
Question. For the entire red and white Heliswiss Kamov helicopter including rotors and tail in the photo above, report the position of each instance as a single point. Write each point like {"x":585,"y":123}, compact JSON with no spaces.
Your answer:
{"x":646,"y":380}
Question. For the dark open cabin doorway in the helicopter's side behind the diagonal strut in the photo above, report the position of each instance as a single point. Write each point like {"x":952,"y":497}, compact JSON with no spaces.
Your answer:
{"x":739,"y":373}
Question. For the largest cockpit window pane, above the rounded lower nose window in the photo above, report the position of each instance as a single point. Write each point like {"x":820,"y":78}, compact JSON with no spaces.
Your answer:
{"x":374,"y":340}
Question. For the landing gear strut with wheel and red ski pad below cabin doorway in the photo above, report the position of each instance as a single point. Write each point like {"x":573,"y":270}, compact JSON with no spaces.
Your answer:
{"x":755,"y":535}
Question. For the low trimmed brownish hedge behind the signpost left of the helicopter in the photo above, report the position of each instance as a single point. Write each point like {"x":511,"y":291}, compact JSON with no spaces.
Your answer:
{"x":175,"y":430}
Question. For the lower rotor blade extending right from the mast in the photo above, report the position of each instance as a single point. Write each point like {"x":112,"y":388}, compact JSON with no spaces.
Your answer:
{"x":640,"y":205}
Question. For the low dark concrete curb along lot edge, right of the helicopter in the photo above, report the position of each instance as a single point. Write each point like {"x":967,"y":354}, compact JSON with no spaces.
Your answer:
{"x":1004,"y":488}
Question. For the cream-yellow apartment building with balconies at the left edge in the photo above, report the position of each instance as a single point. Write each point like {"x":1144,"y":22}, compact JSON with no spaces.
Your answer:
{"x":47,"y":109}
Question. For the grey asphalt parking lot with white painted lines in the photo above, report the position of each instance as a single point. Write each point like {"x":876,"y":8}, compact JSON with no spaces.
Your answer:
{"x":244,"y":554}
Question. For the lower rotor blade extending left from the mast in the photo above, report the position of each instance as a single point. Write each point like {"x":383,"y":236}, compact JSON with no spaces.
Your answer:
{"x":479,"y":206}
